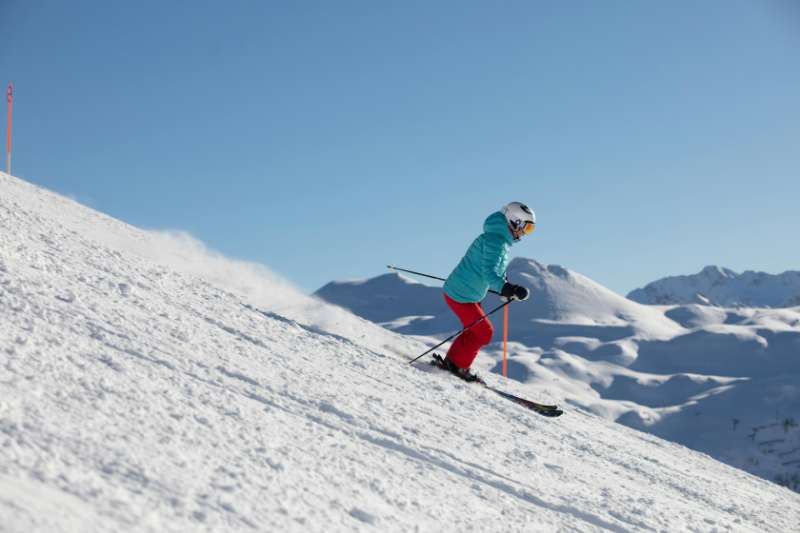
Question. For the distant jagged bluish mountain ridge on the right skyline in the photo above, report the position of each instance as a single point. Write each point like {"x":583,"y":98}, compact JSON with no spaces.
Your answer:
{"x":723,"y":287}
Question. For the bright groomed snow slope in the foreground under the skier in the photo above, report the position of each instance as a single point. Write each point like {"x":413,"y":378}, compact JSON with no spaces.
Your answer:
{"x":137,"y":397}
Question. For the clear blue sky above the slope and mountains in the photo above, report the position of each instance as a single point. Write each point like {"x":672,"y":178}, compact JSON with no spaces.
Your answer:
{"x":327,"y":139}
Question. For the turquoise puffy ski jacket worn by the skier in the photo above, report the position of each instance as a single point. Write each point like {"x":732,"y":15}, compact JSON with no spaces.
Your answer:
{"x":483,"y":267}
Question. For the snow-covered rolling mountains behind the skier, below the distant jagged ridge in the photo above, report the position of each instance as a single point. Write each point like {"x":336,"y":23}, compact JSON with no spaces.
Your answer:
{"x":682,"y":372}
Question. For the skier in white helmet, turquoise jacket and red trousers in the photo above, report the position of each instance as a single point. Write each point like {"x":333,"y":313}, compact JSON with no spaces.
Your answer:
{"x":483,"y":267}
